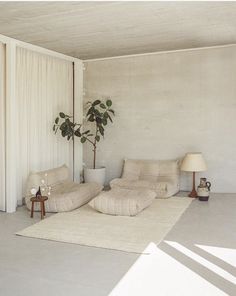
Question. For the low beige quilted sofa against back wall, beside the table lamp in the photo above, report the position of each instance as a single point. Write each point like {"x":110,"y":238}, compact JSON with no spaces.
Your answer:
{"x":161,"y":176}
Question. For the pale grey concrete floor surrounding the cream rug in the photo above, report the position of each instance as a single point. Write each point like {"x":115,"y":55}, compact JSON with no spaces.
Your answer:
{"x":38,"y":267}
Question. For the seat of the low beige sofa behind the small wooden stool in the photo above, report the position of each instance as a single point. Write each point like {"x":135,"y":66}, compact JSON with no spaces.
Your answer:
{"x":68,"y":196}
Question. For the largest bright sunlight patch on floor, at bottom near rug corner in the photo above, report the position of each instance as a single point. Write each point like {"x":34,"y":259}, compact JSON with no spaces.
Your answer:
{"x":160,"y":274}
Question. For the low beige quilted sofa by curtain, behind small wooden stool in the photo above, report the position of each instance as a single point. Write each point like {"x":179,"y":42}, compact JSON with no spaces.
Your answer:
{"x":66,"y":195}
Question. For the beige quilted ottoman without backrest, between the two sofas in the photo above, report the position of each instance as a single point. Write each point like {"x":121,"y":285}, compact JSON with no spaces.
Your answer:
{"x":123,"y":202}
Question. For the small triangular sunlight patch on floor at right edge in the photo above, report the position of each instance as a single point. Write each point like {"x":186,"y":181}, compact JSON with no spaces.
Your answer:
{"x":226,"y":254}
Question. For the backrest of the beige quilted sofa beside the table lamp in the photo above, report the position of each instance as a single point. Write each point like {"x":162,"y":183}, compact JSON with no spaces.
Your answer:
{"x":150,"y":170}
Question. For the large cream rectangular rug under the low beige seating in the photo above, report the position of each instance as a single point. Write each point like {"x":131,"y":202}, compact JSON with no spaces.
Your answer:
{"x":85,"y":226}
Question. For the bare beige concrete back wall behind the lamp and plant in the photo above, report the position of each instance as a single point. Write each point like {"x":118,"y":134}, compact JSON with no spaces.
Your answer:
{"x":166,"y":105}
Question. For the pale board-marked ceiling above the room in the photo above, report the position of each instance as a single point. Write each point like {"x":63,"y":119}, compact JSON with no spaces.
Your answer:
{"x":103,"y":29}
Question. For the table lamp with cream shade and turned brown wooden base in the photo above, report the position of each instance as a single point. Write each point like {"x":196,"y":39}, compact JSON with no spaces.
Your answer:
{"x":193,"y":162}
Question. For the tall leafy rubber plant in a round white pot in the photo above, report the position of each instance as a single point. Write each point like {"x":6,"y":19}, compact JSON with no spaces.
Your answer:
{"x":98,"y":114}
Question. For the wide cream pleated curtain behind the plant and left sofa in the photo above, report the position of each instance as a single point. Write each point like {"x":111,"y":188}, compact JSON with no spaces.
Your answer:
{"x":44,"y":87}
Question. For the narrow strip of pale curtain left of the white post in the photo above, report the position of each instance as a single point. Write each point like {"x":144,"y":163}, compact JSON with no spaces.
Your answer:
{"x":2,"y":125}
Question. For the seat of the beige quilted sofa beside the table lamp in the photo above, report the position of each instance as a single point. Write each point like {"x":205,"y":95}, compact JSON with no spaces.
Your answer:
{"x":163,"y":189}
